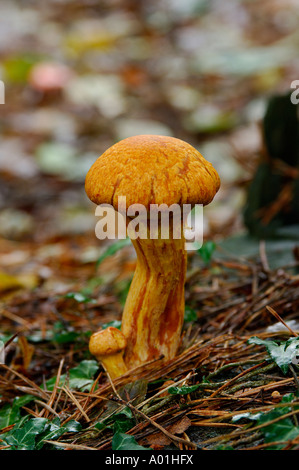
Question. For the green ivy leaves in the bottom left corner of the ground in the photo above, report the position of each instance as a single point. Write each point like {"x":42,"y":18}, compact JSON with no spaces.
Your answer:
{"x":30,"y":434}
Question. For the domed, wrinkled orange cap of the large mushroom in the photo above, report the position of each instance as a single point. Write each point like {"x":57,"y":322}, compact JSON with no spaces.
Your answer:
{"x":152,"y":169}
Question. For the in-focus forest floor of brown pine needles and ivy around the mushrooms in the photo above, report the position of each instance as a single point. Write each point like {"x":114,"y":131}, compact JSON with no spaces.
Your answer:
{"x":226,"y":388}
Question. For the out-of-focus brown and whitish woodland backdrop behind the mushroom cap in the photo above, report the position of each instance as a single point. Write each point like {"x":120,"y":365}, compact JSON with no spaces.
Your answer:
{"x":80,"y":75}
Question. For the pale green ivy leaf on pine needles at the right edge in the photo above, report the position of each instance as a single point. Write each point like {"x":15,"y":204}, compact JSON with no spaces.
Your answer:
{"x":283,"y":353}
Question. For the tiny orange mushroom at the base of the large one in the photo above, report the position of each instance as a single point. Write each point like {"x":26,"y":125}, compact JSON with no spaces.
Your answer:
{"x":108,"y":347}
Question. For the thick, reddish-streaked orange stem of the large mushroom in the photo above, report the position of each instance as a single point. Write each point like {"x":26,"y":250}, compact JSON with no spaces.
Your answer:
{"x":154,"y":311}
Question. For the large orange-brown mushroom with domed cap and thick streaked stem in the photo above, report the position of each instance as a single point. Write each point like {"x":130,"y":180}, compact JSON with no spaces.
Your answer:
{"x":153,"y":170}
